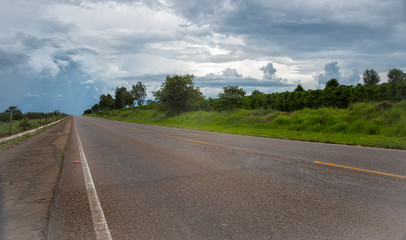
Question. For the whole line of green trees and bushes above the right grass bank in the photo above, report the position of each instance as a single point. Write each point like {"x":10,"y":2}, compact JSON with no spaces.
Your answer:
{"x":179,"y":94}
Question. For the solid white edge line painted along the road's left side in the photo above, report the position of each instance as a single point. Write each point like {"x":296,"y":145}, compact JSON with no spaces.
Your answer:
{"x":99,"y":221}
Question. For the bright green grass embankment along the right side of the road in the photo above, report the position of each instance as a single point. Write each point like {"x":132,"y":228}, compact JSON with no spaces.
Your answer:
{"x":367,"y":124}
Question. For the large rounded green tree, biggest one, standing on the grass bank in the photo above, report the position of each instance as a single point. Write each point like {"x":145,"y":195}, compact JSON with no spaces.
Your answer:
{"x":179,"y":94}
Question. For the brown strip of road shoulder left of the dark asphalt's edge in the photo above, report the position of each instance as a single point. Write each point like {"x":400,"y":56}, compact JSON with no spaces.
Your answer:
{"x":29,"y":172}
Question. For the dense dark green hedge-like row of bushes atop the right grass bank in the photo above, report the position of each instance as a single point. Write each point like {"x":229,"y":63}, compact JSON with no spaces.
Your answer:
{"x":339,"y":97}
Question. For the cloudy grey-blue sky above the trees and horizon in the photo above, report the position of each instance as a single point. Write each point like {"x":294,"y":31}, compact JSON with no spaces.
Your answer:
{"x":63,"y":54}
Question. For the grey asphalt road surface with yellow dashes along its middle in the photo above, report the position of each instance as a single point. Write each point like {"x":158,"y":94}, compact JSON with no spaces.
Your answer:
{"x":167,"y":183}
